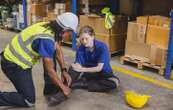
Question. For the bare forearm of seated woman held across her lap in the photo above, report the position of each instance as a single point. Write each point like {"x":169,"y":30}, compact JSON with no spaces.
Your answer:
{"x":77,"y":67}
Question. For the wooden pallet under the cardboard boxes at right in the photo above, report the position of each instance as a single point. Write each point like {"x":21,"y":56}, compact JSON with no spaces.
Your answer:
{"x":141,"y":64}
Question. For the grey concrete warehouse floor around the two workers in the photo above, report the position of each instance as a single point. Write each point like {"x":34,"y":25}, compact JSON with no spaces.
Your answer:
{"x":162,"y":98}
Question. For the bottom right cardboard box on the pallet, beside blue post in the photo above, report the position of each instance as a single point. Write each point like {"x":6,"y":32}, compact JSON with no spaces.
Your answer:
{"x":158,"y":55}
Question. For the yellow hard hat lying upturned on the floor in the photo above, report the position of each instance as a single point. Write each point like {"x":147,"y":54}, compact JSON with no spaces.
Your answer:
{"x":136,"y":100}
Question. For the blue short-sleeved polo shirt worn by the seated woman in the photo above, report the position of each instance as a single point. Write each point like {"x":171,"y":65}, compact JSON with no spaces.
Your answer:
{"x":100,"y":54}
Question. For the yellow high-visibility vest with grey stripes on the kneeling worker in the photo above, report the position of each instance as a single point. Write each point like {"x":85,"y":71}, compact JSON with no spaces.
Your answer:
{"x":20,"y":52}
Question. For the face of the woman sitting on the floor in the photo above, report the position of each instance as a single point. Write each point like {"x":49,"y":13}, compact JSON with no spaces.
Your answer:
{"x":86,"y":40}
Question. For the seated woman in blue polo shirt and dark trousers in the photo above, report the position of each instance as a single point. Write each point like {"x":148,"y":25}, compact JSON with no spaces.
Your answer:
{"x":92,"y":69}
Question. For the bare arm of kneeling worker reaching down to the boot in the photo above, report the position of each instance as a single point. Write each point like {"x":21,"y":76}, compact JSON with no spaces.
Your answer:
{"x":48,"y":64}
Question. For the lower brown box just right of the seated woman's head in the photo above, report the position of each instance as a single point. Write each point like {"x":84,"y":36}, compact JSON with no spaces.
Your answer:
{"x":114,"y":43}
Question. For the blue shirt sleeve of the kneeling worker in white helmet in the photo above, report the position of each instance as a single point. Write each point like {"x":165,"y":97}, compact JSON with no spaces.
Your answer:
{"x":44,"y":47}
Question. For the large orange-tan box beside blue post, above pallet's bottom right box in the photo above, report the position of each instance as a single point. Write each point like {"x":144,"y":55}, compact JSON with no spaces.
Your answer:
{"x":158,"y":36}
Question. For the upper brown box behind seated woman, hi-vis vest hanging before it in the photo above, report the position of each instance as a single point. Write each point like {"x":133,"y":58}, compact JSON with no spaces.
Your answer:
{"x":98,"y":23}
